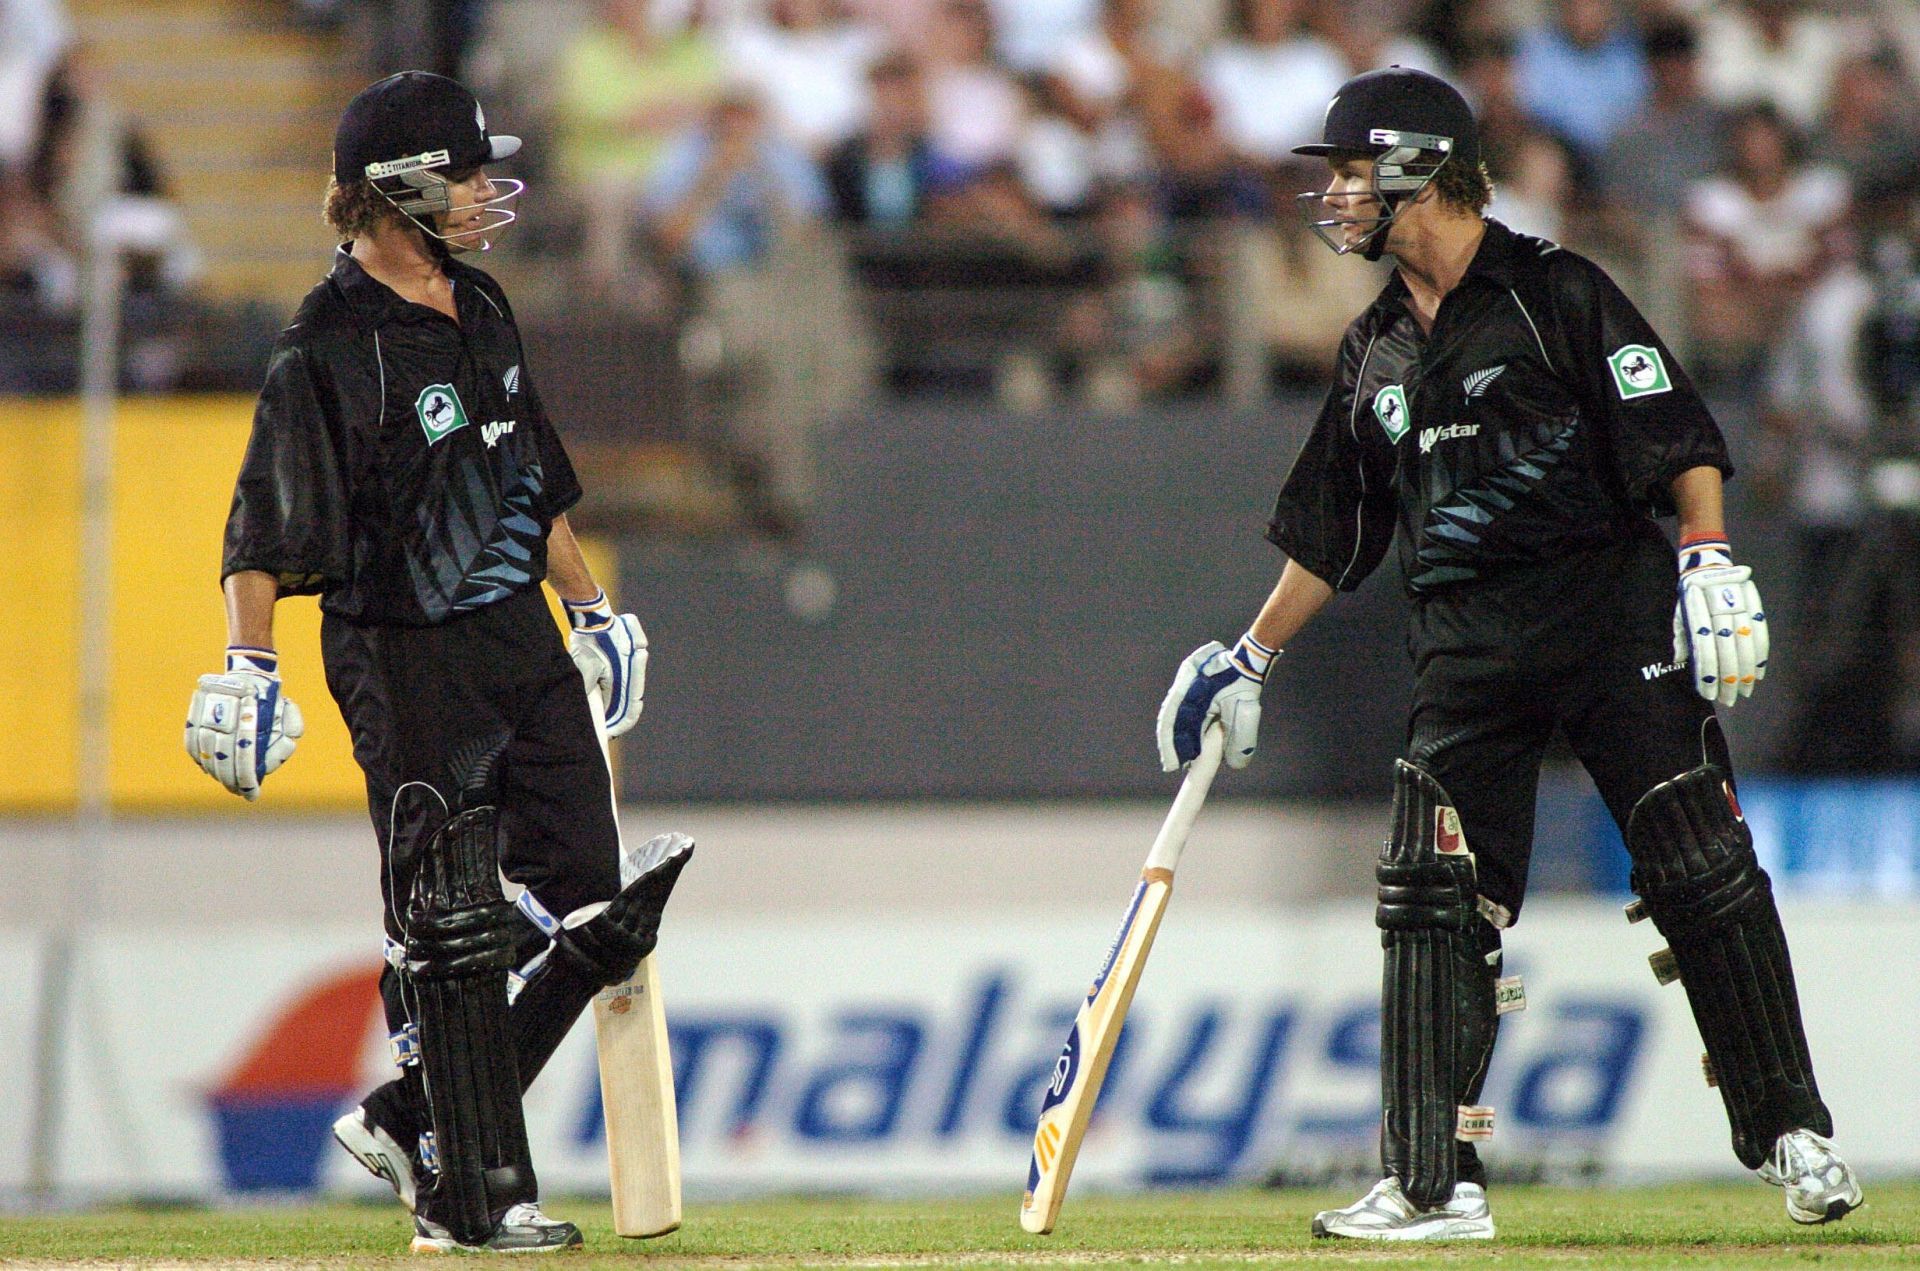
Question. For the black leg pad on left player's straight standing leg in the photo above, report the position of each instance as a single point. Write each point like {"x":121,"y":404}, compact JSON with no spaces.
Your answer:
{"x":462,"y":940}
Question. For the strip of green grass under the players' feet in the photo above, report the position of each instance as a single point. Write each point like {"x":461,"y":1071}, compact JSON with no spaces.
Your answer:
{"x":1719,"y":1226}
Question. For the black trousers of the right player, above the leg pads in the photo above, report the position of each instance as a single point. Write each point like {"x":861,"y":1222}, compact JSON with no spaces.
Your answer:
{"x":1587,"y":648}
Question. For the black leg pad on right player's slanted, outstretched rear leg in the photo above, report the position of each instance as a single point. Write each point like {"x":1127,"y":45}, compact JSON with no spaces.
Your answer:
{"x":1708,"y":894}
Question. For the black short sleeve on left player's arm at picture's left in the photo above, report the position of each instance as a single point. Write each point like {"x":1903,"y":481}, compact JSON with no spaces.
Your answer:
{"x":291,"y":504}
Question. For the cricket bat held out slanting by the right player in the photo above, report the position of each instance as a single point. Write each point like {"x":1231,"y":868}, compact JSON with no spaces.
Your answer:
{"x":1082,"y":1067}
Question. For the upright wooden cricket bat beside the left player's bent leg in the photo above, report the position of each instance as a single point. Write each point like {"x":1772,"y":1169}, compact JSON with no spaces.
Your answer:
{"x":636,"y":1086}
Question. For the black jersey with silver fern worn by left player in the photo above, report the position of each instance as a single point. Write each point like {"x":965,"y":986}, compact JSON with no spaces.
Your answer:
{"x":400,"y":464}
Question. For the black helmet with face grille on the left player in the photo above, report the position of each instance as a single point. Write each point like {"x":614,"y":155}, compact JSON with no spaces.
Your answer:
{"x":408,"y":135}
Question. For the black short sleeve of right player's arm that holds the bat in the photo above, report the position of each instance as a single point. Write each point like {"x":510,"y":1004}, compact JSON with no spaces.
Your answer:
{"x":1335,"y":514}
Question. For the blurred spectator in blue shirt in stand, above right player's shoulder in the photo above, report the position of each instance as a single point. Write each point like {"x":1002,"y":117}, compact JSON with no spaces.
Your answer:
{"x":1583,"y":76}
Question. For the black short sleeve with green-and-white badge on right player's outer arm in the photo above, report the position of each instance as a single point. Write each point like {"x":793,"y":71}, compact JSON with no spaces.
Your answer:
{"x":1635,"y":389}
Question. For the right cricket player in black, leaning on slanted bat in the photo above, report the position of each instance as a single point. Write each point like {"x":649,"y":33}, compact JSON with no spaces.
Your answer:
{"x":1510,"y":414}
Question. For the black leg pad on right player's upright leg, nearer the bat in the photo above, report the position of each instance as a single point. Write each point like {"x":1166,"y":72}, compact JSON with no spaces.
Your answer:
{"x":1437,"y":990}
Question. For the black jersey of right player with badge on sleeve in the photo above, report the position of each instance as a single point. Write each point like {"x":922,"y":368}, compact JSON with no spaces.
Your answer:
{"x":1539,"y":420}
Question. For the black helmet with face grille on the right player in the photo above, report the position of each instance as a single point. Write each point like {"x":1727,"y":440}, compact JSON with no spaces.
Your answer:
{"x":1412,"y":126}
